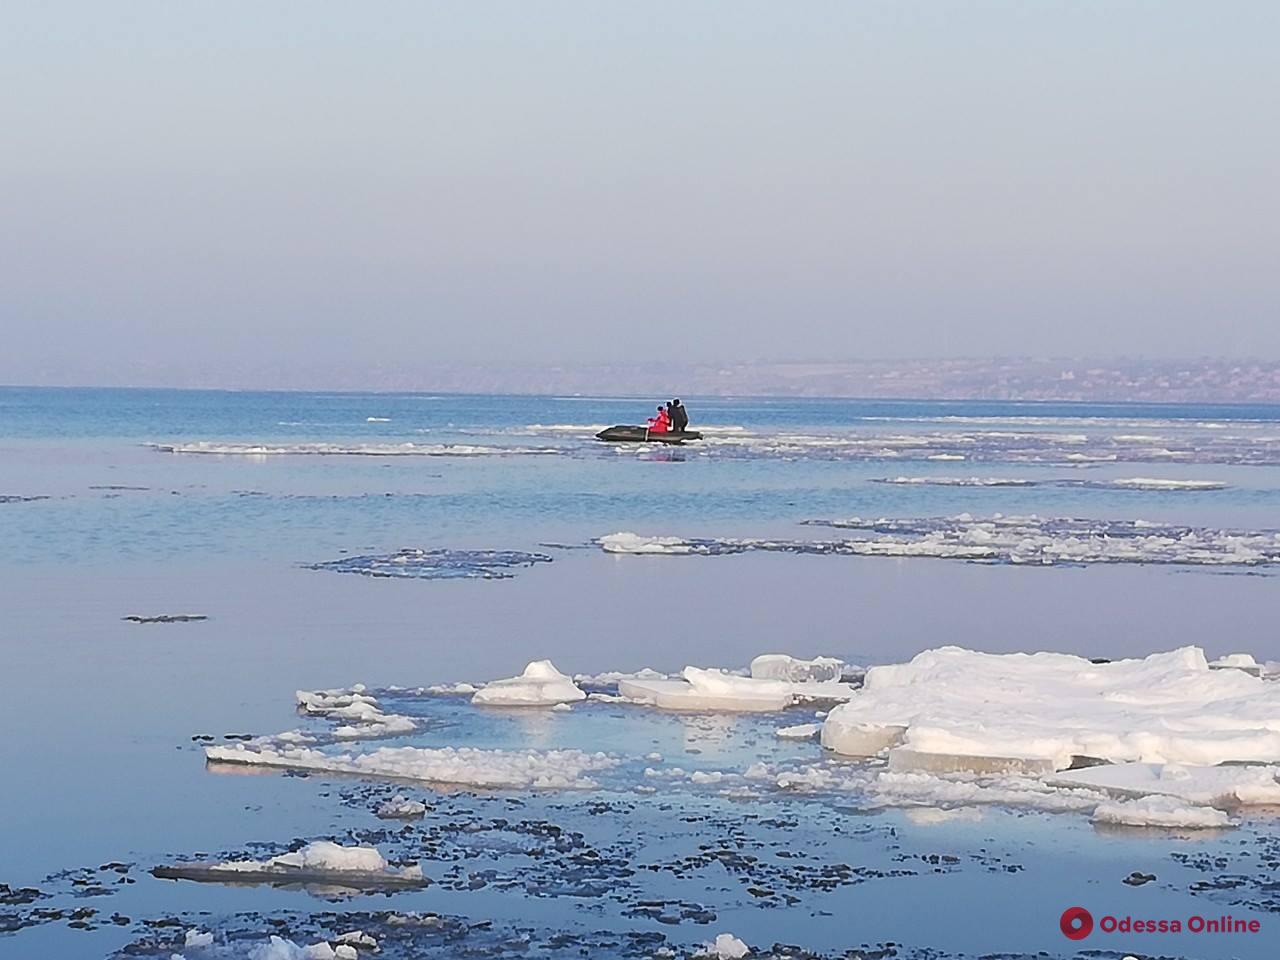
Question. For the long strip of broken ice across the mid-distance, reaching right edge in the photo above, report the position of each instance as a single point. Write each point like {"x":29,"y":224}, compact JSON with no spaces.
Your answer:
{"x":999,"y":540}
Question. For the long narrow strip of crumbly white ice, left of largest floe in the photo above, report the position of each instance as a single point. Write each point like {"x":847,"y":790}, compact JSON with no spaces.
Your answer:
{"x":551,"y":770}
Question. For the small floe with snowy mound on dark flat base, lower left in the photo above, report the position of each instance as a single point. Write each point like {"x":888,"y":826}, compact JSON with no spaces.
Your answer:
{"x":317,"y":863}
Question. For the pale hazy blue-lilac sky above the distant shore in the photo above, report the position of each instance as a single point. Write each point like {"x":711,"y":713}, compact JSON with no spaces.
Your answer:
{"x":277,"y":188}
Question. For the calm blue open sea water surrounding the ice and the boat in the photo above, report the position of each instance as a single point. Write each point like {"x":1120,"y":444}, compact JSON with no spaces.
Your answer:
{"x":102,"y":519}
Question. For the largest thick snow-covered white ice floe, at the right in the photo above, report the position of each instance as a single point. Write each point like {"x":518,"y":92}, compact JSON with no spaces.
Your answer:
{"x":958,"y":710}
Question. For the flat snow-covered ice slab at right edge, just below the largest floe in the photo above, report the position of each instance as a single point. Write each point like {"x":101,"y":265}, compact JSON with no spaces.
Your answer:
{"x":1232,"y":785}
